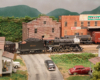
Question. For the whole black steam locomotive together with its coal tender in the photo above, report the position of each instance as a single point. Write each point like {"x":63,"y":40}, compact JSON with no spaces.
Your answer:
{"x":55,"y":45}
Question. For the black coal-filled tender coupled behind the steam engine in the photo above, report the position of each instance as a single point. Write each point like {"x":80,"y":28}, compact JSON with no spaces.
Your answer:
{"x":31,"y":45}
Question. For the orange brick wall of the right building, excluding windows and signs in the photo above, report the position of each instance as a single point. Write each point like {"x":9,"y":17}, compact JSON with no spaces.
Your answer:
{"x":67,"y":30}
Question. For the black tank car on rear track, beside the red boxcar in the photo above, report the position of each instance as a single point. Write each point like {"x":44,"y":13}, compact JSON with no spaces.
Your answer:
{"x":84,"y":39}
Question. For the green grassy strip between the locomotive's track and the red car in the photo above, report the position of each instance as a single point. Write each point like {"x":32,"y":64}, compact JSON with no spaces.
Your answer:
{"x":72,"y":58}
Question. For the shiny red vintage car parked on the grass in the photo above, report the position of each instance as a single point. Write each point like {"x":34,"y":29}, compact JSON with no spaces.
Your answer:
{"x":79,"y":69}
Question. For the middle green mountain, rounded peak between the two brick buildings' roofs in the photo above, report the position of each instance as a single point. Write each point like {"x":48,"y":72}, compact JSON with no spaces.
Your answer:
{"x":58,"y":12}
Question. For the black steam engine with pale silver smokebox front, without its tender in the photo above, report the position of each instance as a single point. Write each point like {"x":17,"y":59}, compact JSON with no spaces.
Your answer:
{"x":63,"y":45}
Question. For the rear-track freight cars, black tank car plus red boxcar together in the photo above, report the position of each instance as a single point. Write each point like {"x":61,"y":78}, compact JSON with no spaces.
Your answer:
{"x":86,"y":39}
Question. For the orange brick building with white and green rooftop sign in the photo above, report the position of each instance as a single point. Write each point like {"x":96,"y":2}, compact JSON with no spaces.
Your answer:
{"x":79,"y":24}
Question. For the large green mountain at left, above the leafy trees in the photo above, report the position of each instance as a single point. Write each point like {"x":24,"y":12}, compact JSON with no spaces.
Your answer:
{"x":19,"y":11}
